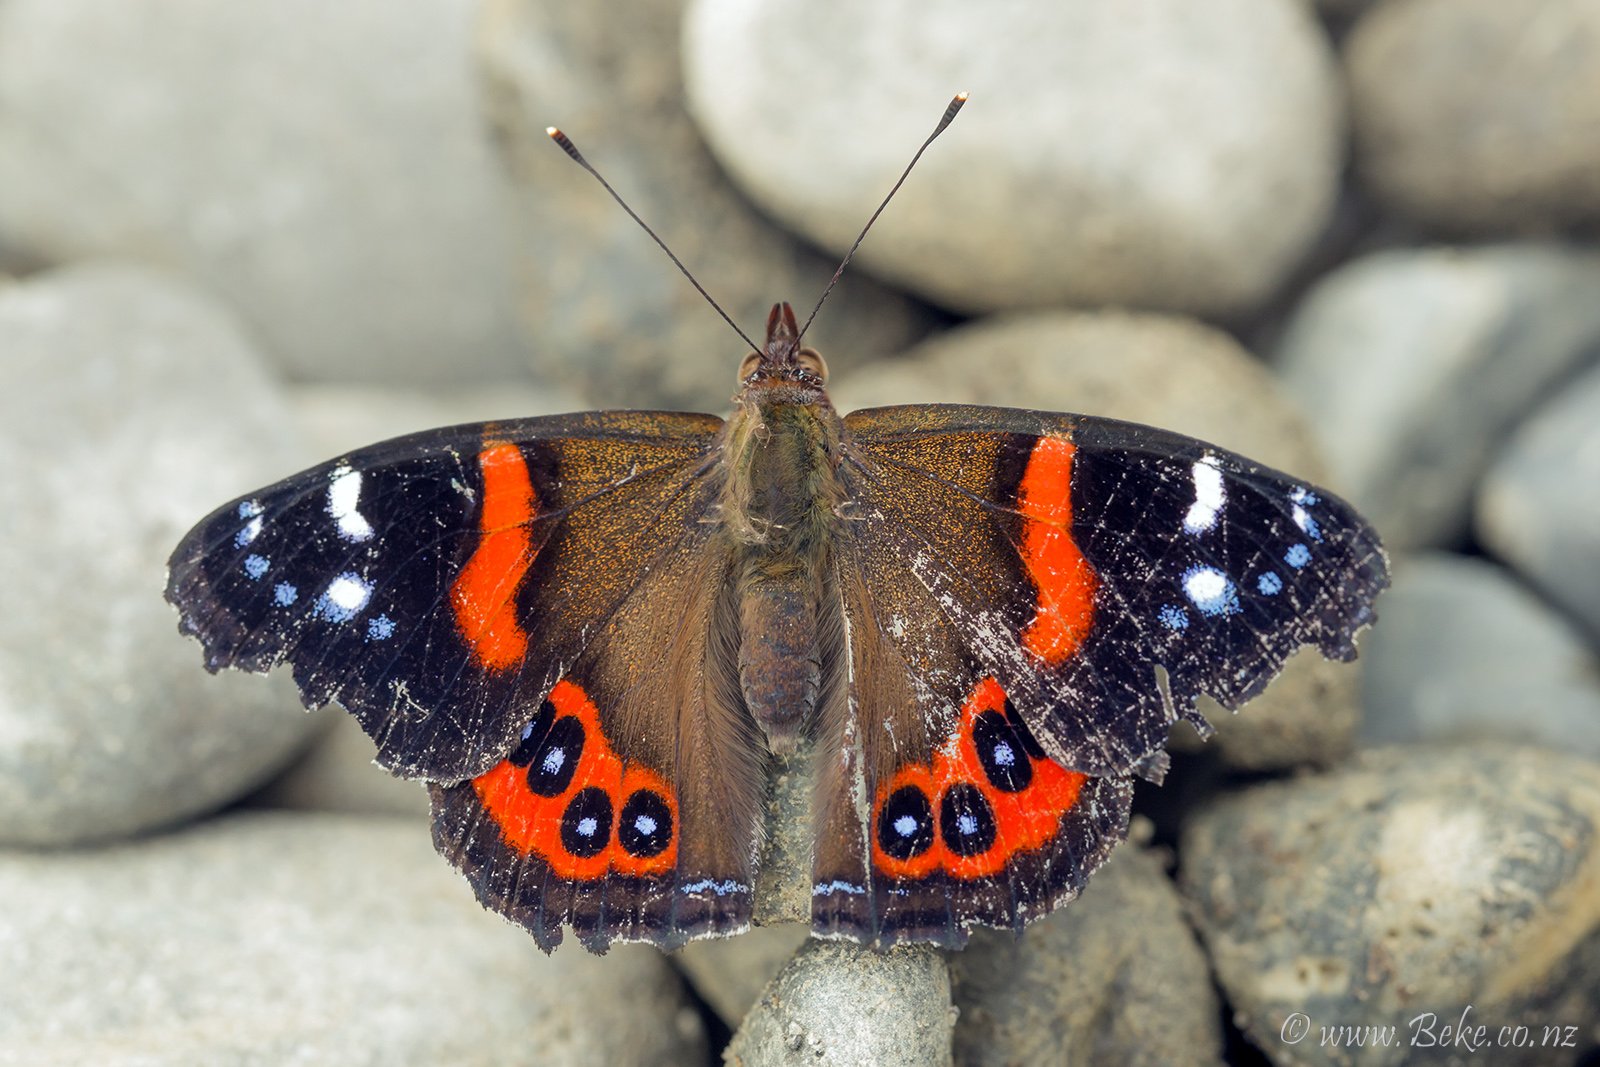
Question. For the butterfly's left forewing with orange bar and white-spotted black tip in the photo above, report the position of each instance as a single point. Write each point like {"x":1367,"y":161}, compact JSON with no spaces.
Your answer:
{"x":439,"y":585}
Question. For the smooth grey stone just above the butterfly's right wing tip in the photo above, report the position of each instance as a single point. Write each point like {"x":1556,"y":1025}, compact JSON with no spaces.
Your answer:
{"x":1415,"y":364}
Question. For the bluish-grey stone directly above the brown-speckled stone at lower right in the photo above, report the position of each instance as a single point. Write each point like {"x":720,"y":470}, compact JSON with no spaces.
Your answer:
{"x":1468,"y":653}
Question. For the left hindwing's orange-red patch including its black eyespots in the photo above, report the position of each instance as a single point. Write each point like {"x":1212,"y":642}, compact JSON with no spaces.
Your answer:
{"x":567,"y":796}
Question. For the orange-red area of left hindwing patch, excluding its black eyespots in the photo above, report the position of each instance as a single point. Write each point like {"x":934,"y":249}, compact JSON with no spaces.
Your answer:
{"x":534,"y":825}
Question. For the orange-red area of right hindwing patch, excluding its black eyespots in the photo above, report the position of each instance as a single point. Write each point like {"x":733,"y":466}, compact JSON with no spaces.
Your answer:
{"x":1025,"y":820}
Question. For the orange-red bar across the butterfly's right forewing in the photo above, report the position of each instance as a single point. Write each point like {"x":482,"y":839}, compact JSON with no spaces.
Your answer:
{"x":1063,"y":578}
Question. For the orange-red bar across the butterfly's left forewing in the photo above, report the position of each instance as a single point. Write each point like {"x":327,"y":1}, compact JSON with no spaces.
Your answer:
{"x":486,"y":593}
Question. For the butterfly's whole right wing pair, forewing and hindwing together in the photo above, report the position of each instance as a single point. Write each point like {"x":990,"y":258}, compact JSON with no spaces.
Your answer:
{"x":1031,"y":602}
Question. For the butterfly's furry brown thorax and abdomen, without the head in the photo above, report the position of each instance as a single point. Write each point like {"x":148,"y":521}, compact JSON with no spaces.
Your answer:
{"x":780,"y":508}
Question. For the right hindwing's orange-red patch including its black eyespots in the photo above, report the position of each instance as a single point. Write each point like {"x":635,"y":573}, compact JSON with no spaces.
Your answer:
{"x":990,"y":794}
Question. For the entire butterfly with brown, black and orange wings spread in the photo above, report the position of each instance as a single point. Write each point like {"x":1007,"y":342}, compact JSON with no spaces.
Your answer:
{"x":591,"y":634}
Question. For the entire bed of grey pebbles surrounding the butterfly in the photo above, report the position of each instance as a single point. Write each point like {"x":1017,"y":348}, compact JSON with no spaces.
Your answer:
{"x":1353,"y":239}
